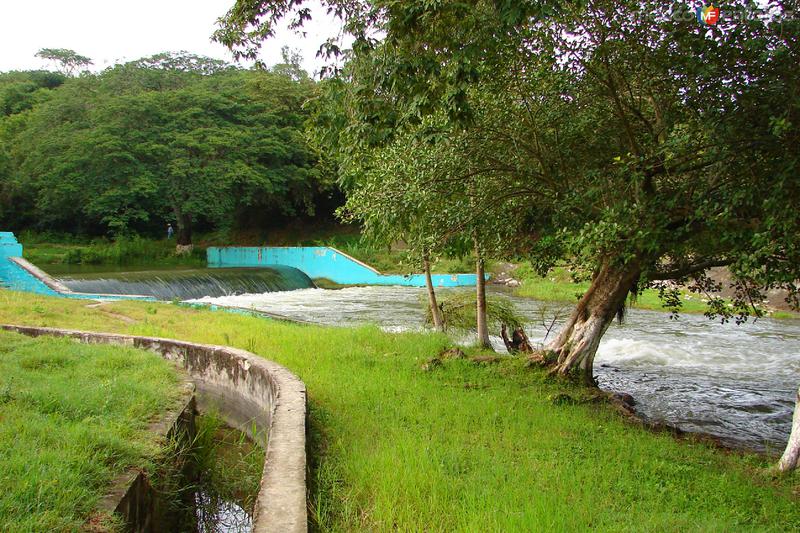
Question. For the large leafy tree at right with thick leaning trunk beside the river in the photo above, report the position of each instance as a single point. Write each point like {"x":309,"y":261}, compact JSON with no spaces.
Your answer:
{"x":650,"y":145}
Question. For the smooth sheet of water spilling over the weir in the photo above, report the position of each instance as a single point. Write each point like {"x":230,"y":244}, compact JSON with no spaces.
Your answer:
{"x":189,"y":284}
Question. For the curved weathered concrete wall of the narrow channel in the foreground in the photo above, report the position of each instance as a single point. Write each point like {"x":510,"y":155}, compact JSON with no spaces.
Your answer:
{"x":248,"y":391}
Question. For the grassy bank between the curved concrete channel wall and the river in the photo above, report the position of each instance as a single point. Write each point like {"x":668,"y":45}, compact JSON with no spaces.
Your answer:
{"x":464,"y":446}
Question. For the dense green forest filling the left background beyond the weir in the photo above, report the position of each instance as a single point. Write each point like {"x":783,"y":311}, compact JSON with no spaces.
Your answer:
{"x":170,"y":139}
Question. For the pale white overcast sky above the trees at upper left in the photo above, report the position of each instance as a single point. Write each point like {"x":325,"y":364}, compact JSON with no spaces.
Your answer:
{"x":112,"y":31}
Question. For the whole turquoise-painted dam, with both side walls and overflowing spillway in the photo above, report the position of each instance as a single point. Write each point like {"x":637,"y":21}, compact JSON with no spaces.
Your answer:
{"x":232,"y":271}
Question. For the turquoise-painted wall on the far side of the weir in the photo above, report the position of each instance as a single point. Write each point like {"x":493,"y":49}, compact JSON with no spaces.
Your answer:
{"x":325,"y":262}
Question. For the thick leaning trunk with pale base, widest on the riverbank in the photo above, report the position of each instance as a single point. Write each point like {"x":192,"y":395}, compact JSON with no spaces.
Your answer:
{"x":577,"y":342}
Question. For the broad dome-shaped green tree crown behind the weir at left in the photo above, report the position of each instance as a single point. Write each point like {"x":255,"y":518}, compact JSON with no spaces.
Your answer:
{"x":165,"y":142}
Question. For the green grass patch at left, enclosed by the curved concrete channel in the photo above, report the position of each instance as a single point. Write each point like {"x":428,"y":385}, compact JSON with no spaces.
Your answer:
{"x":72,"y":417}
